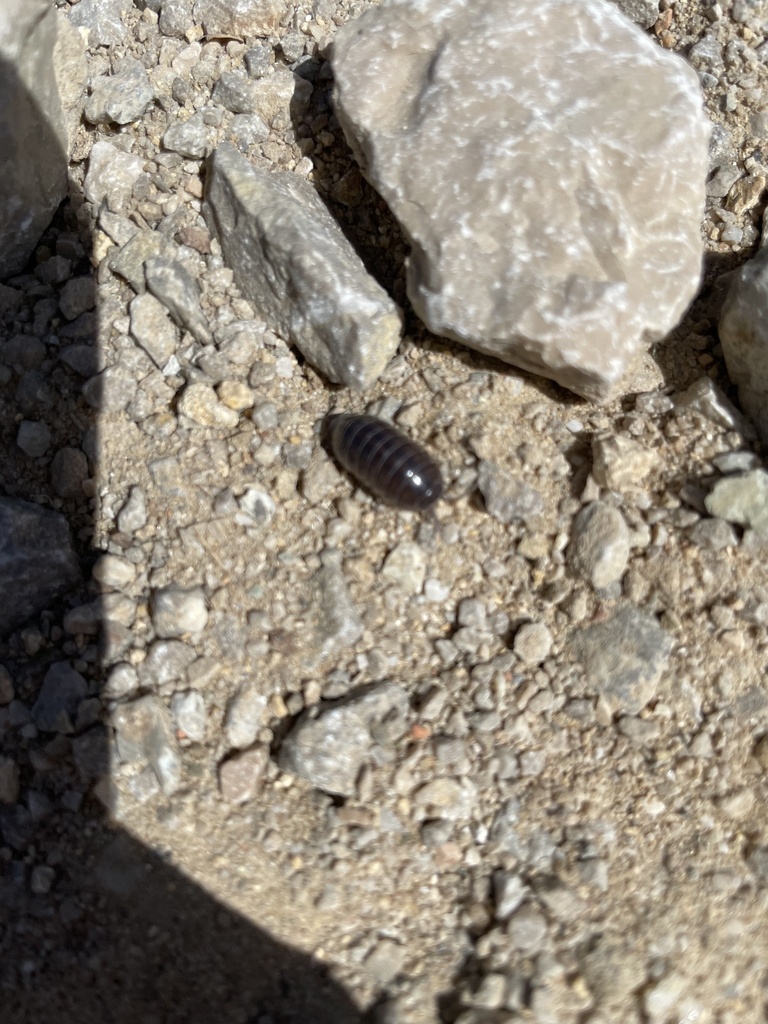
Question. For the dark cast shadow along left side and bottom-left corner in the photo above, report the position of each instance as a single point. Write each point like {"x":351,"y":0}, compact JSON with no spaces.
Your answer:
{"x":94,"y":926}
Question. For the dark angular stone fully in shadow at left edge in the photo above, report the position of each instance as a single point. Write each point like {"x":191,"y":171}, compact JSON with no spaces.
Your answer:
{"x":38,"y":563}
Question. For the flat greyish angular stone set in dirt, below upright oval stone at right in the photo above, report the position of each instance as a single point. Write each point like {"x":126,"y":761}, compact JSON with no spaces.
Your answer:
{"x":624,"y":659}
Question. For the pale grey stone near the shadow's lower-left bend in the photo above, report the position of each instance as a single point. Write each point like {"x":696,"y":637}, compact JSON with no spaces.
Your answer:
{"x":145,"y":734}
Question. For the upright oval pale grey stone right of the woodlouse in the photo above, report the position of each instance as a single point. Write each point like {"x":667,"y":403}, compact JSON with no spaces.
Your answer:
{"x":600,"y":546}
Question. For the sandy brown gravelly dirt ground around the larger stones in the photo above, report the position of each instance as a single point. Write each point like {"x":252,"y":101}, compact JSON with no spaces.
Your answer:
{"x":525,"y":849}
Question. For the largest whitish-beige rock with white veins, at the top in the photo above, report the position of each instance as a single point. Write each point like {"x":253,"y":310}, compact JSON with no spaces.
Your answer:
{"x":547,"y":161}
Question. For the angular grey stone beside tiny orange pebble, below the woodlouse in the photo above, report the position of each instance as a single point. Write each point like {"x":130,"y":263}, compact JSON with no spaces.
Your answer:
{"x":329,"y":746}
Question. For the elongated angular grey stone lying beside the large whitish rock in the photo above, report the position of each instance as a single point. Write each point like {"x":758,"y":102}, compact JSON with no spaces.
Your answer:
{"x":293,"y":263}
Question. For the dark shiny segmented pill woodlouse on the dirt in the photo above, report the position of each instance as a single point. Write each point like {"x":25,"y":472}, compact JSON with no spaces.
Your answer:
{"x":387,"y":461}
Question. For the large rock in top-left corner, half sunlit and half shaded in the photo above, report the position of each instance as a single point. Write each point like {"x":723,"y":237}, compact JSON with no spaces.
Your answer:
{"x":42,"y":76}
